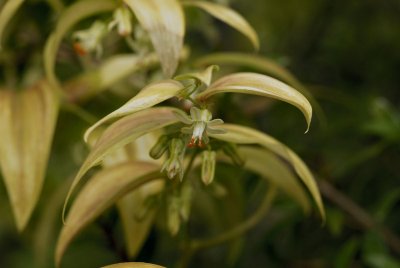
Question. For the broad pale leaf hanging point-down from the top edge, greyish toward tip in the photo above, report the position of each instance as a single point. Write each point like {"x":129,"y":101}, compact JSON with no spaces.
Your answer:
{"x":165,"y":23}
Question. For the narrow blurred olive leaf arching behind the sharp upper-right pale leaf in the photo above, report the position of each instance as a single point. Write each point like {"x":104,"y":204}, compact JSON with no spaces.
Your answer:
{"x":265,"y":66}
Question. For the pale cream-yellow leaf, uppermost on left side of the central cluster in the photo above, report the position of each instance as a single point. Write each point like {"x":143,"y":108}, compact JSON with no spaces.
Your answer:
{"x":147,"y":97}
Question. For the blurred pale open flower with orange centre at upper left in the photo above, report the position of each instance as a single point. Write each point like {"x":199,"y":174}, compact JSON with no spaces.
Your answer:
{"x":89,"y":40}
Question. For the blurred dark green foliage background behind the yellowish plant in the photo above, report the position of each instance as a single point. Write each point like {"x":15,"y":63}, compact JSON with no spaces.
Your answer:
{"x":347,"y":53}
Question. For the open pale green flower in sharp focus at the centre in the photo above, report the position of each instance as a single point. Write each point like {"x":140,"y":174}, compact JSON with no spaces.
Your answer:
{"x":201,"y":125}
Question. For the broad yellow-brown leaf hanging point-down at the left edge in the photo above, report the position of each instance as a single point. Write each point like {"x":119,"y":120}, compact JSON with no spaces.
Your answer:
{"x":27,"y":120}
